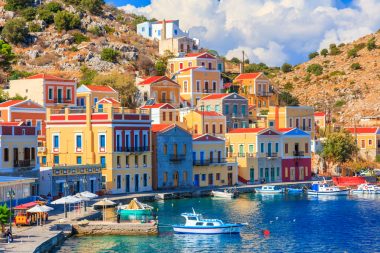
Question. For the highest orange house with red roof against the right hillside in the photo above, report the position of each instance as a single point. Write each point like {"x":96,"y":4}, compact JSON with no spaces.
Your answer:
{"x":257,"y":88}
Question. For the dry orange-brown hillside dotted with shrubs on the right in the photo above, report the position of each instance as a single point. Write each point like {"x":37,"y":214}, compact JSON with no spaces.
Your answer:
{"x":345,"y":82}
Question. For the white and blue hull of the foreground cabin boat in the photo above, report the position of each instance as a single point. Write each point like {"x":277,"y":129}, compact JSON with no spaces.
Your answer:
{"x":226,"y":229}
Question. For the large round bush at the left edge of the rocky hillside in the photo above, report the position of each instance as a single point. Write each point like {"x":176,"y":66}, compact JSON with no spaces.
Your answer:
{"x":15,"y":30}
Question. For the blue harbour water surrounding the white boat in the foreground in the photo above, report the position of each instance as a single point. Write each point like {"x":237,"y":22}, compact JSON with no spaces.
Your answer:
{"x":296,"y":223}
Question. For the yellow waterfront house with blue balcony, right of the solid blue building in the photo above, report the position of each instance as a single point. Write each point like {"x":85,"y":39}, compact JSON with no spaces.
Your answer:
{"x":210,"y":167}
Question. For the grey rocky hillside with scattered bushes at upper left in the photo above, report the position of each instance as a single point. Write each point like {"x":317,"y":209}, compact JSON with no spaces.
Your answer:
{"x":49,"y":48}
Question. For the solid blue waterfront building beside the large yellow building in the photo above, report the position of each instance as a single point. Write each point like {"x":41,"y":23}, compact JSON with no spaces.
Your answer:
{"x":172,"y":164}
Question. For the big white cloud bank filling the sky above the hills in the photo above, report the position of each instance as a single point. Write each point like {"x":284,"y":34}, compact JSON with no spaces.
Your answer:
{"x":270,"y":31}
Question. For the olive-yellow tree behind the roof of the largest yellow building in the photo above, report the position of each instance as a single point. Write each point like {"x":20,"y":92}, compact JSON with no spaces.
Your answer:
{"x":124,"y":84}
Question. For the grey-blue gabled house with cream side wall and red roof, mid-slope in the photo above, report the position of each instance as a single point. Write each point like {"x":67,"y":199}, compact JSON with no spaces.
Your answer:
{"x":231,"y":105}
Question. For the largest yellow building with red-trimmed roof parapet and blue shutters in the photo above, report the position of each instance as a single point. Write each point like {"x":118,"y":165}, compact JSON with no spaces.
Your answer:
{"x":116,"y":138}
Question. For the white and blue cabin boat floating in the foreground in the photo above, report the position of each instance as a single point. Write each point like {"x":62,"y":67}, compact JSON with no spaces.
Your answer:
{"x":196,"y":224}
